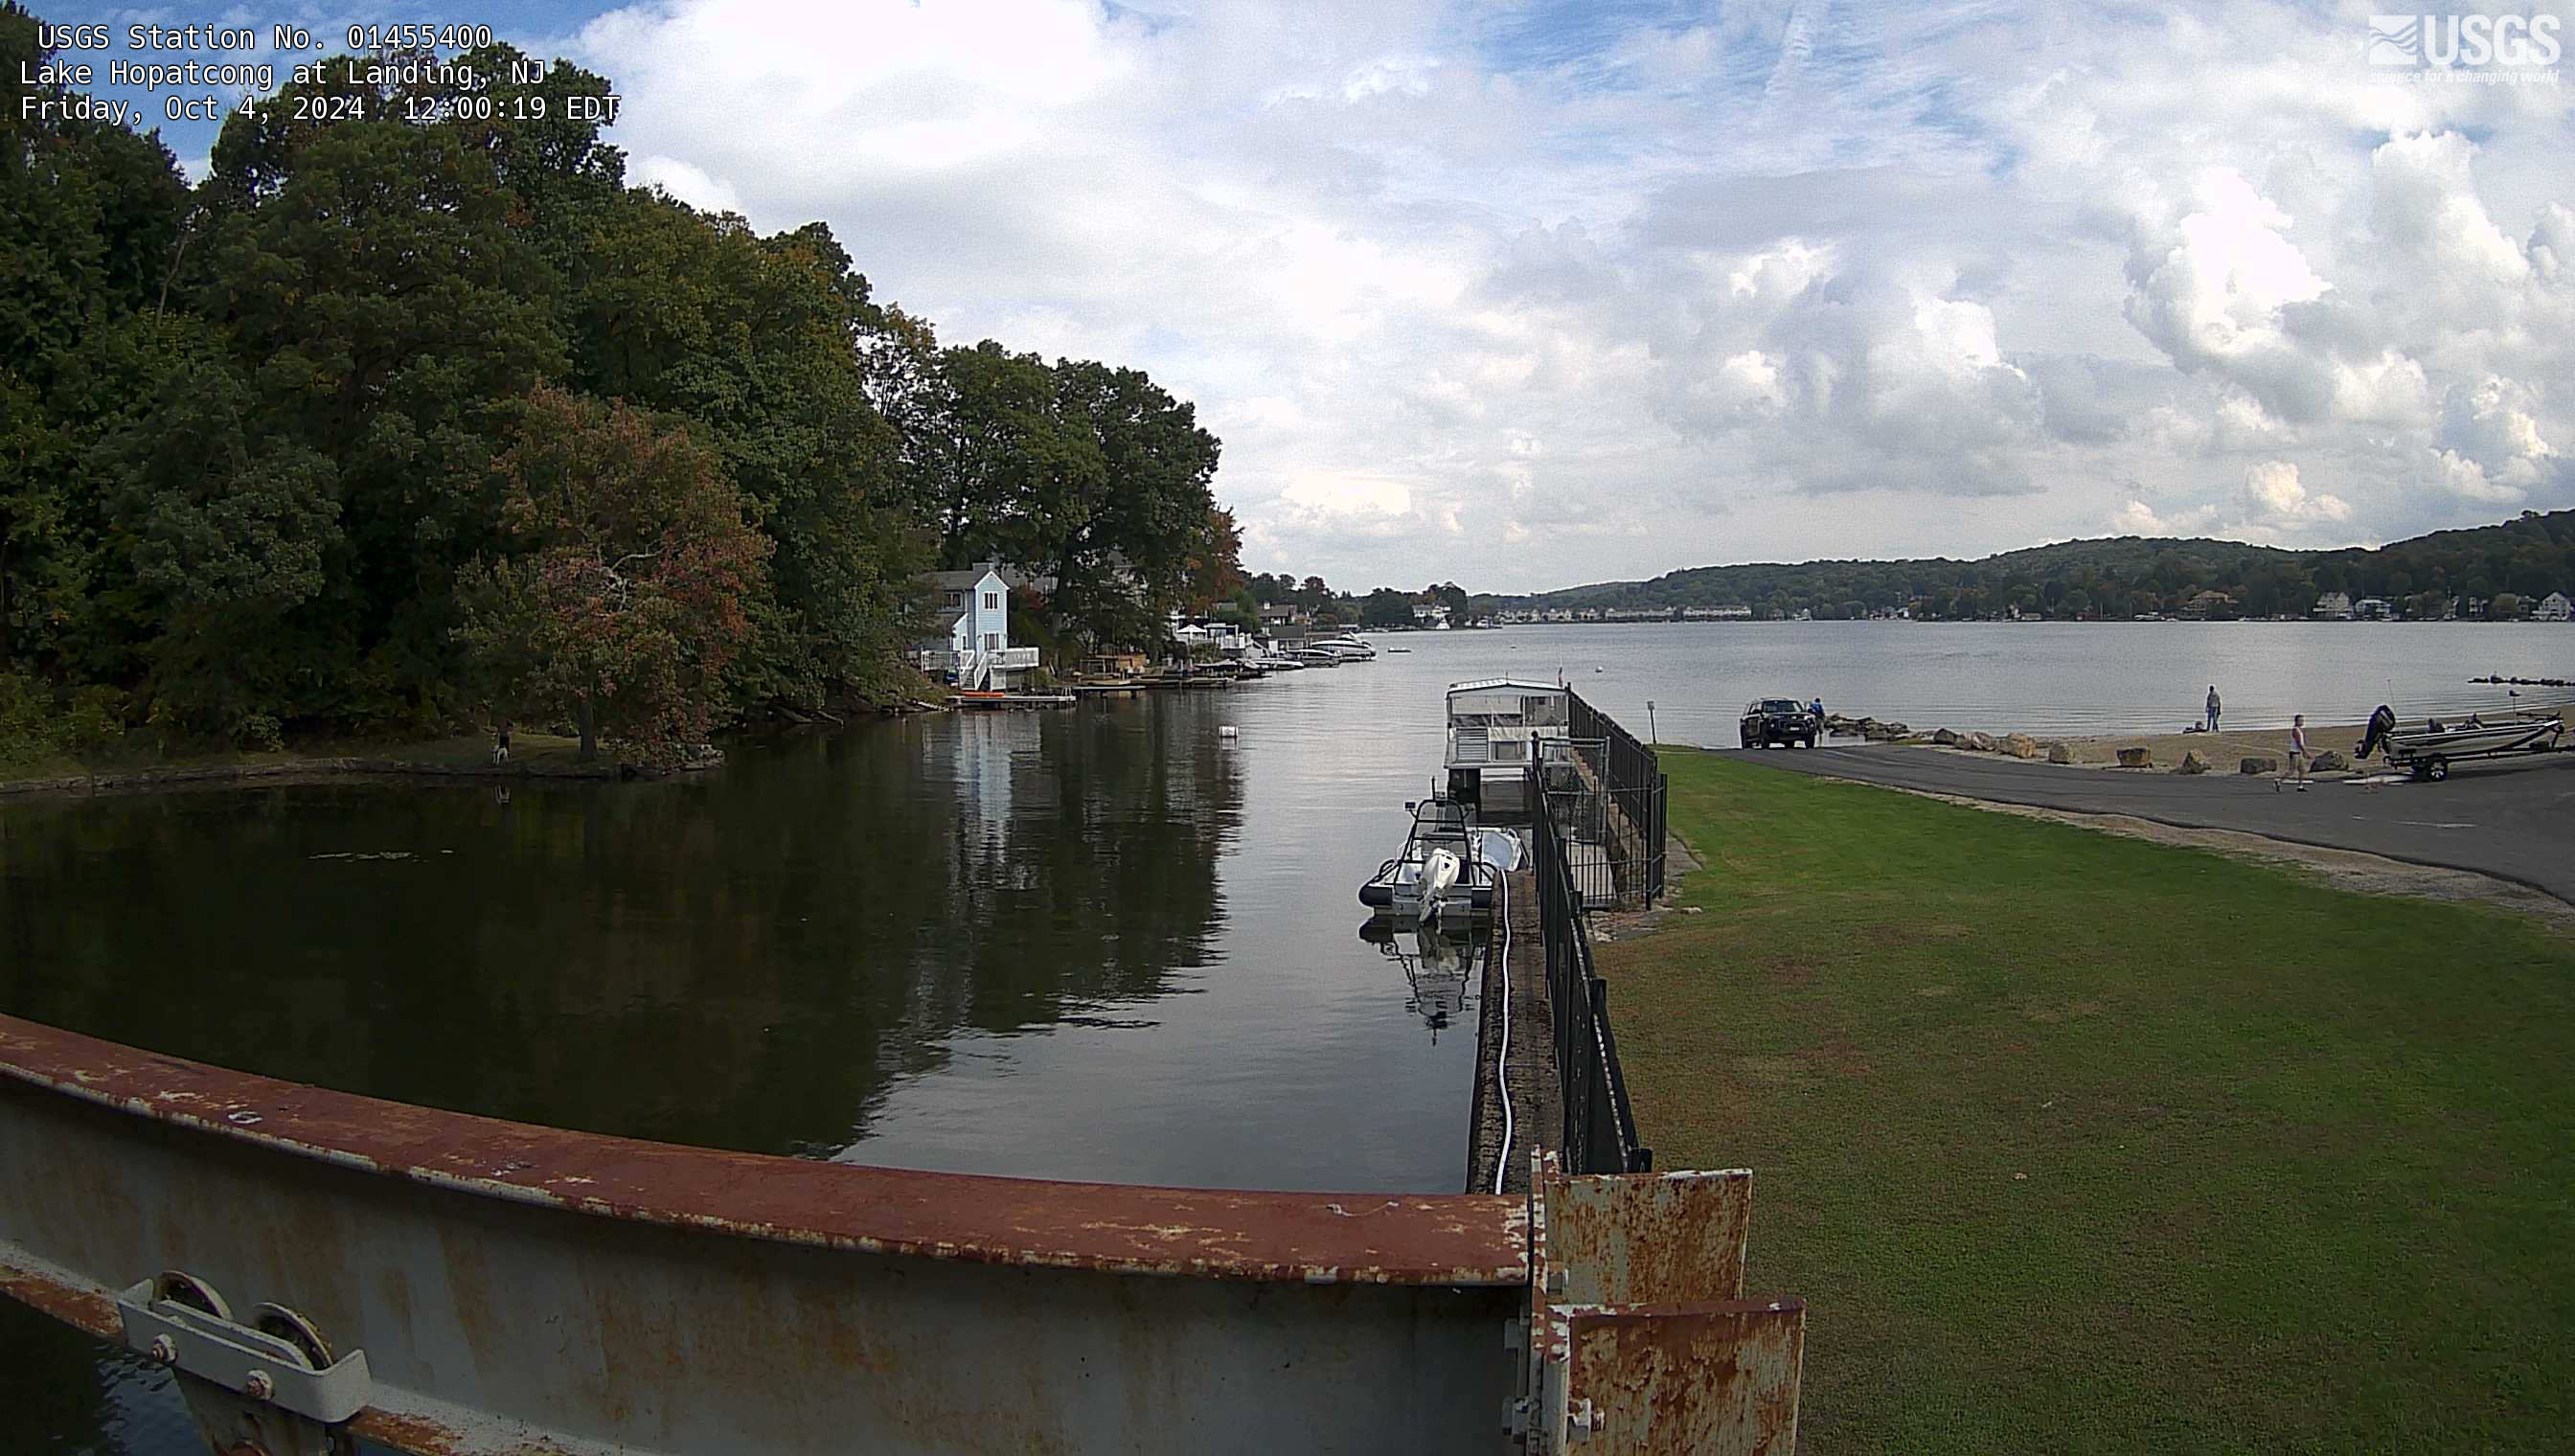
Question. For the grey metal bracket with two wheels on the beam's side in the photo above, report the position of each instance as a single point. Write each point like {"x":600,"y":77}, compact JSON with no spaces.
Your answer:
{"x":269,"y":1385}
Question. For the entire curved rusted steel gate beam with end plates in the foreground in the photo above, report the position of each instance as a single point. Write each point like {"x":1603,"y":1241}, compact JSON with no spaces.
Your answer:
{"x":323,"y":1267}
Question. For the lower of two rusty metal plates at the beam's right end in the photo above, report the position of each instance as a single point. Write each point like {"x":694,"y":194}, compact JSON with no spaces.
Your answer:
{"x":1714,"y":1377}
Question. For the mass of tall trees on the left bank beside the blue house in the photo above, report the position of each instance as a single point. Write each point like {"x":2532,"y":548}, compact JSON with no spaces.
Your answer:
{"x":403,"y":426}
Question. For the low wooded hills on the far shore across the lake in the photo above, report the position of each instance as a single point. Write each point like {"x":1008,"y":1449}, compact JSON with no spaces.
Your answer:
{"x":2489,"y":571}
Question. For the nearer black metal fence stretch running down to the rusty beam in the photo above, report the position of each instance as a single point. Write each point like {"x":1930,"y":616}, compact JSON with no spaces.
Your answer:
{"x":1600,"y":1130}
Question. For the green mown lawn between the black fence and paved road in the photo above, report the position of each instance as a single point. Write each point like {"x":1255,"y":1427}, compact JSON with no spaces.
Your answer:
{"x":2082,"y":1143}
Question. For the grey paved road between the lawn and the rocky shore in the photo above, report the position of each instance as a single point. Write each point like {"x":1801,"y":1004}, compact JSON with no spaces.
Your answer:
{"x":2512,"y":818}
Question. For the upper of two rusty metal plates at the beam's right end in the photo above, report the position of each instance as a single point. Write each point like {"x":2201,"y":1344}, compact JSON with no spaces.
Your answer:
{"x":1670,"y":1241}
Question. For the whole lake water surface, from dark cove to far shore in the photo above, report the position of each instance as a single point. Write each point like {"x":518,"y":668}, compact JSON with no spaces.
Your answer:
{"x":1101,"y":942}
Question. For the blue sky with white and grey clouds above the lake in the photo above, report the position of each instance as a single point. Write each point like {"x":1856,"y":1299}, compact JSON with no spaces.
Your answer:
{"x":1531,"y":295}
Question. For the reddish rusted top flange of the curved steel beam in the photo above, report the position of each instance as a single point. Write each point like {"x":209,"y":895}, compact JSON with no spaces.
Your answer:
{"x":1315,"y":1238}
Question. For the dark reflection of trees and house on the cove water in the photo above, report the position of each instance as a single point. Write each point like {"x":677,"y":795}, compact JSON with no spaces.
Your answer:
{"x":745,"y":960}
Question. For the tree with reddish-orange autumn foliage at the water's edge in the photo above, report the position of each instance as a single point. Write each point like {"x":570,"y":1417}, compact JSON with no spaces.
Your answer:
{"x":622,"y":597}
